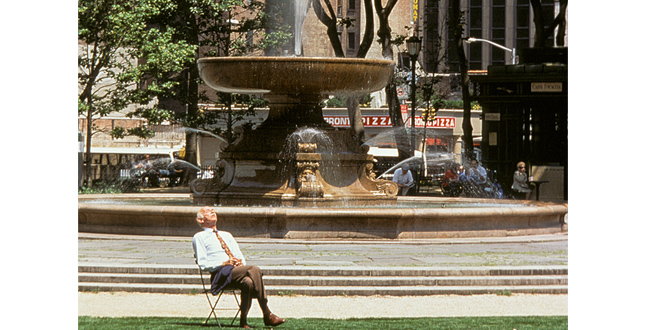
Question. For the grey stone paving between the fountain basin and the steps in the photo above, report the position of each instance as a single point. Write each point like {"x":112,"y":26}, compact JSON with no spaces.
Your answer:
{"x":539,"y":250}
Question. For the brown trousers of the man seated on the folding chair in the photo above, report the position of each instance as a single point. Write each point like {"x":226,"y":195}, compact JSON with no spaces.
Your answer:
{"x":249,"y":280}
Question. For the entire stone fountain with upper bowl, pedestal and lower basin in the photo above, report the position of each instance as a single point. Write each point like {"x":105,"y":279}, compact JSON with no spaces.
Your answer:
{"x":294,"y":158}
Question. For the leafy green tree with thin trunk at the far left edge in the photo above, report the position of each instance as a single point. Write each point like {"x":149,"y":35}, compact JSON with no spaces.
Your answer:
{"x":113,"y":35}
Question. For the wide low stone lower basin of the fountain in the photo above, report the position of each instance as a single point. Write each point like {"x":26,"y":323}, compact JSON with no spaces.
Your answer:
{"x":477,"y":218}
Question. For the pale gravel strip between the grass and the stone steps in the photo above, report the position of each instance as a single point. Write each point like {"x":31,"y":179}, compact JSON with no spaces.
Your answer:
{"x":121,"y":304}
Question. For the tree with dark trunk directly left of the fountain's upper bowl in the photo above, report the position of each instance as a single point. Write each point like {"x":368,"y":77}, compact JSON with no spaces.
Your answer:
{"x":213,"y":28}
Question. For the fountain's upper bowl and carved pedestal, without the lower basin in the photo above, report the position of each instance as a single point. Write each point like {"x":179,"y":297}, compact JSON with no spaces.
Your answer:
{"x":258,"y":169}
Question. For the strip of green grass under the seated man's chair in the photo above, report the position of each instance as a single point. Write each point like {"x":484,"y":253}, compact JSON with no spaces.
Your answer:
{"x":444,"y":323}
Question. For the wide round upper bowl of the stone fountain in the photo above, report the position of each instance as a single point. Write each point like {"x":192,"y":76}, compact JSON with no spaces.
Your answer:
{"x":295,"y":75}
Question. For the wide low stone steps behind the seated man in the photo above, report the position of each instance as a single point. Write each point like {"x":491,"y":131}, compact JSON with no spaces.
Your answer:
{"x":326,"y":281}
